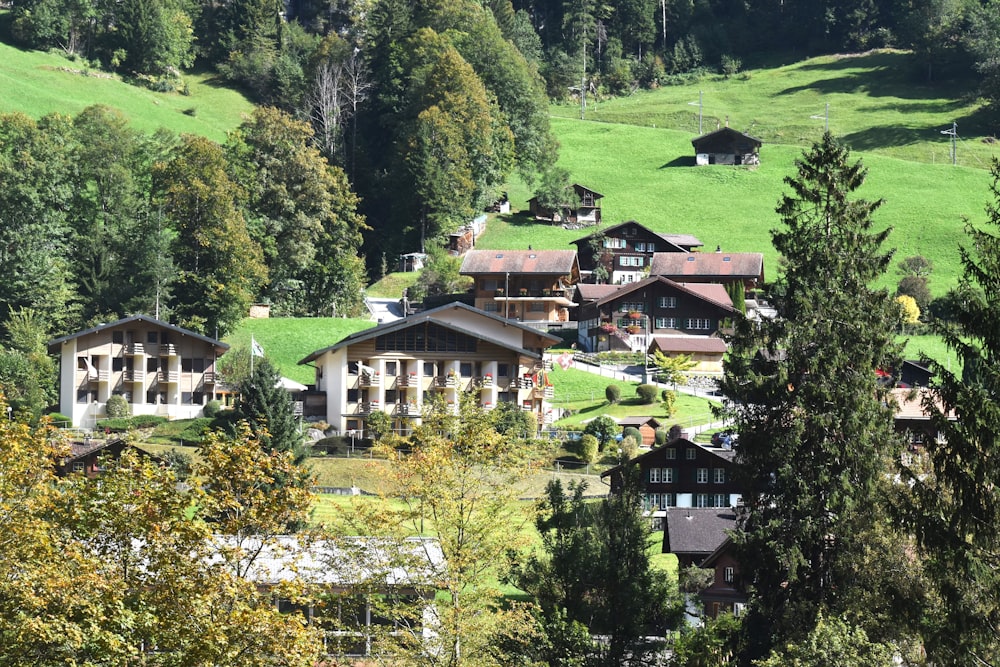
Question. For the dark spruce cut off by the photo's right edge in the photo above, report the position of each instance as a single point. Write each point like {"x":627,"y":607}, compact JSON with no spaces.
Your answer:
{"x":955,"y":501}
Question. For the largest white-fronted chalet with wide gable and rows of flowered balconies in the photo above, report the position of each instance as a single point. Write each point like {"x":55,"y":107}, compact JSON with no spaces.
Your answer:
{"x":448,"y":351}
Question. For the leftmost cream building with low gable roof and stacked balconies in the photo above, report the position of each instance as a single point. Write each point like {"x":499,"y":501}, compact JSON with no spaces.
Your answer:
{"x":159,"y":368}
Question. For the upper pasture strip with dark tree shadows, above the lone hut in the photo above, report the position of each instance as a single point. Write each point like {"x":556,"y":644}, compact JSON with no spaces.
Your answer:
{"x":878,"y":102}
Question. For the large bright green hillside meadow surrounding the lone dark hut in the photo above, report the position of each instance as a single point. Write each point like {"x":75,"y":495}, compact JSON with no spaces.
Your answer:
{"x":637,"y":152}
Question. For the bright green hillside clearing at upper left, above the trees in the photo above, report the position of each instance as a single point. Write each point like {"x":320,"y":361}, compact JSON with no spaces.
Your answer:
{"x":37,"y":83}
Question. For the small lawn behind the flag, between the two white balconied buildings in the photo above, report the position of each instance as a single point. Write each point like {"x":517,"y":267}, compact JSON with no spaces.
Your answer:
{"x":286,"y":340}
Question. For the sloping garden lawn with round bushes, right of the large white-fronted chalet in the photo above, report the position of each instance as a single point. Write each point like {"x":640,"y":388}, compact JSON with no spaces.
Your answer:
{"x":583,"y":393}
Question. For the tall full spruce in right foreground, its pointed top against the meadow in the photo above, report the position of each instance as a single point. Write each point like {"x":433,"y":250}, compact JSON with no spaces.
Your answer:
{"x":814,"y":427}
